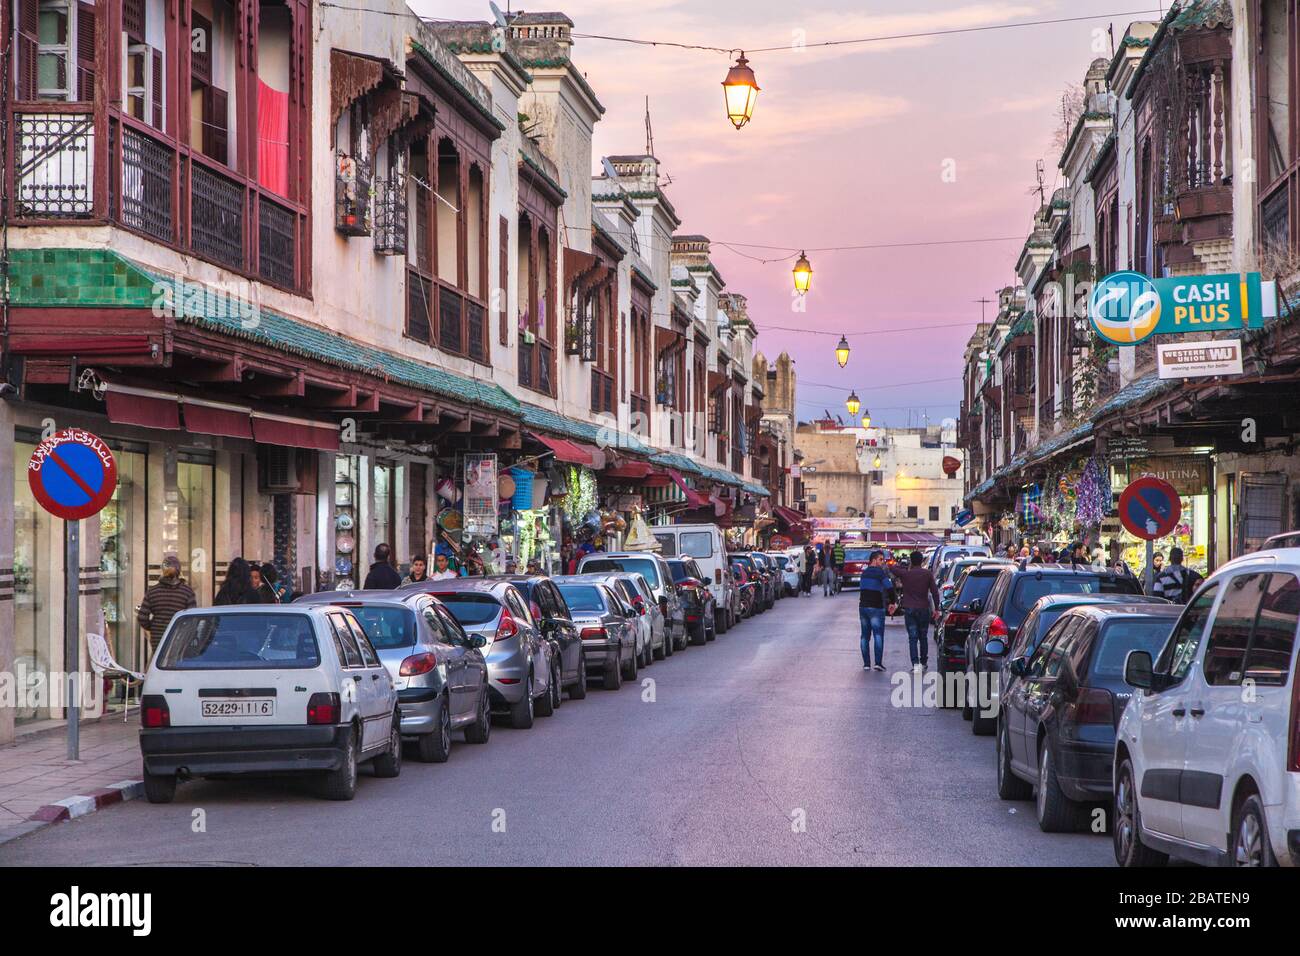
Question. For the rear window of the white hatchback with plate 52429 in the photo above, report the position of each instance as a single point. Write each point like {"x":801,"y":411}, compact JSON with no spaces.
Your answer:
{"x":241,"y":642}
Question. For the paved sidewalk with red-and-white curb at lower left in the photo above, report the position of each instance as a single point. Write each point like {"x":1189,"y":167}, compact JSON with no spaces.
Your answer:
{"x":40,"y":786}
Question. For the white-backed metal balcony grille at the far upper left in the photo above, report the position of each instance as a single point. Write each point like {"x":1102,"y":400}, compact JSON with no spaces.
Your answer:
{"x":57,"y":166}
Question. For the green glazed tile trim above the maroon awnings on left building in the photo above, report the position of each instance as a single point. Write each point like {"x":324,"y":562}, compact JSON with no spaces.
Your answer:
{"x":98,"y":278}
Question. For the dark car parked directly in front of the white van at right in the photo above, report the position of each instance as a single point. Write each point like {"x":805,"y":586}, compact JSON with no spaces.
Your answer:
{"x":1058,"y":724}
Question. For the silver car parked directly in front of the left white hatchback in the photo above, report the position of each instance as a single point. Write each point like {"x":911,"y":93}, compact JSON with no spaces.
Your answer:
{"x":439,"y":671}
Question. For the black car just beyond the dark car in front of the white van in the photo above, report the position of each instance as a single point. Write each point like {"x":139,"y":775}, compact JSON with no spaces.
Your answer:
{"x":1000,"y":616}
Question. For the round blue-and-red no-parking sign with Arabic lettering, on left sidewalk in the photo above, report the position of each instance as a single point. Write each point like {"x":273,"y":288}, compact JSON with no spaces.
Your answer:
{"x":72,"y":474}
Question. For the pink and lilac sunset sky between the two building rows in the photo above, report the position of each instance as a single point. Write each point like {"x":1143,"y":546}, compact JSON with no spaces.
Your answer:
{"x":848,"y":148}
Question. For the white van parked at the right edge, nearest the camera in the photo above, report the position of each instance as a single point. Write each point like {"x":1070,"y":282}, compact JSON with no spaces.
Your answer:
{"x":1207,"y":762}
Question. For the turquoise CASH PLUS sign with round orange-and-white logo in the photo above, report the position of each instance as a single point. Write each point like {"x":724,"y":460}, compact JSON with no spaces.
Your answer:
{"x":1129,"y":308}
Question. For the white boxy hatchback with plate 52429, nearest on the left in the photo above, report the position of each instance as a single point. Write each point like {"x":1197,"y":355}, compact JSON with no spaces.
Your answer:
{"x":266,"y":690}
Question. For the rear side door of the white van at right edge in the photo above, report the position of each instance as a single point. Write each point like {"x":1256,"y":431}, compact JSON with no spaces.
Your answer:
{"x":1224,"y":715}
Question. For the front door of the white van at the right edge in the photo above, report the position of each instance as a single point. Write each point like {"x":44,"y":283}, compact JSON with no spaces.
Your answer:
{"x":1164,"y":730}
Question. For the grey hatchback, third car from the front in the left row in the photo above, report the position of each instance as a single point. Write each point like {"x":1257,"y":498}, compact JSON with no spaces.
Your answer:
{"x":523,"y":672}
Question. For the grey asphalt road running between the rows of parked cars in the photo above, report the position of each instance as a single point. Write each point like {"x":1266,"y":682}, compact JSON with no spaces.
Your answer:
{"x":769,"y":747}
